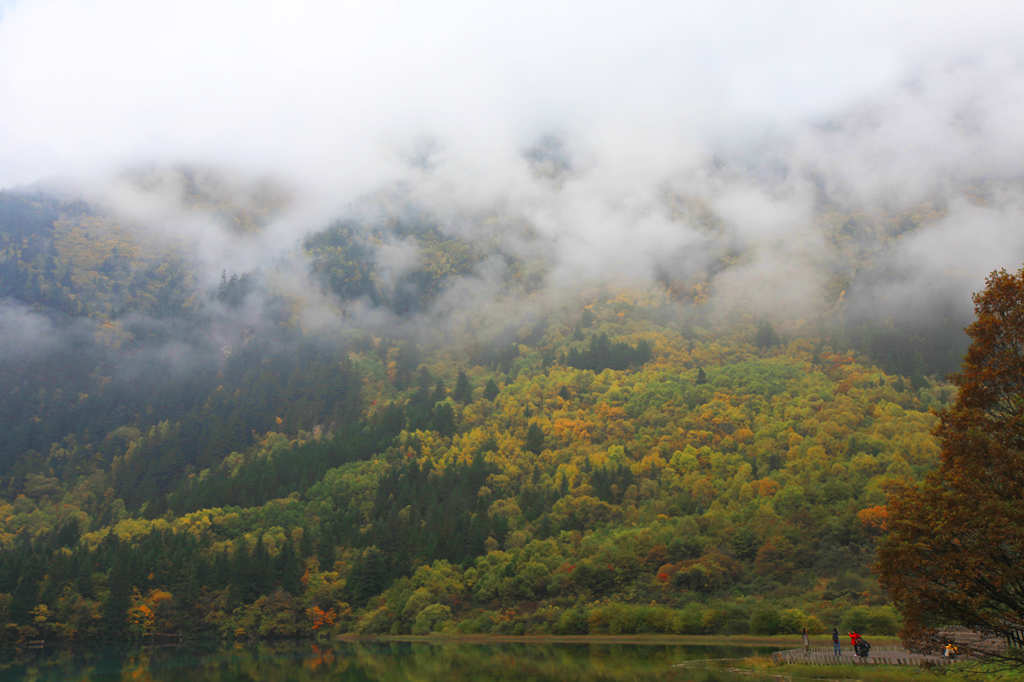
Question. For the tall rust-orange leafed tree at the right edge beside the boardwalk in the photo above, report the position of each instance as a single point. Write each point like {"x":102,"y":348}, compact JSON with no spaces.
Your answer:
{"x":954,"y":556}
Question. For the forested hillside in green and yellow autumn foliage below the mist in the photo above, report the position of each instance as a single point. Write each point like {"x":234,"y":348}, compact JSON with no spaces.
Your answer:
{"x":192,"y":459}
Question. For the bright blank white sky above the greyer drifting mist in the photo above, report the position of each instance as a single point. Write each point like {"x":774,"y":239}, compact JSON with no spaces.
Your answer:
{"x":328,"y":89}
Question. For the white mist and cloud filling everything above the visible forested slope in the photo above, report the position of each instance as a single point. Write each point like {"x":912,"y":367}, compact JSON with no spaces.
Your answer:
{"x":613,"y":130}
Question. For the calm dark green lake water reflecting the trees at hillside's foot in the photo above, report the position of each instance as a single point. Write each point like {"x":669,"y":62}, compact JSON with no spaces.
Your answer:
{"x":380,"y":662}
